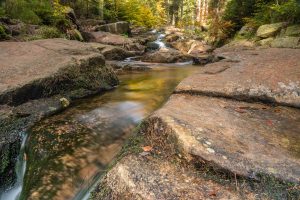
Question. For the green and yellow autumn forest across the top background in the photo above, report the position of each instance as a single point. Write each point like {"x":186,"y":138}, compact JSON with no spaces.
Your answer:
{"x":222,"y":18}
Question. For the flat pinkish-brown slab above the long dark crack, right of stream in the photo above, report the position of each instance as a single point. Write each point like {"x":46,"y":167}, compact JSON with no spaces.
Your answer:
{"x":269,"y":75}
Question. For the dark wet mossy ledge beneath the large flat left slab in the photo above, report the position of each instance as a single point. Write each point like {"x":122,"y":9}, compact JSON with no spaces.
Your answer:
{"x":13,"y":122}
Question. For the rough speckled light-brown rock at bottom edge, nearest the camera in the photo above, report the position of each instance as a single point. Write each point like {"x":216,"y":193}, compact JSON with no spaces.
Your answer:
{"x":136,"y":177}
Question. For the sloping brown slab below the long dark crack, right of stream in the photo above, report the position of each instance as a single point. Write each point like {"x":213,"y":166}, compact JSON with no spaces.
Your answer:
{"x":242,"y":138}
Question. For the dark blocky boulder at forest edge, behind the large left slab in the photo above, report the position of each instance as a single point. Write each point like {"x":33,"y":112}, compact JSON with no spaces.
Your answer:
{"x":121,"y":27}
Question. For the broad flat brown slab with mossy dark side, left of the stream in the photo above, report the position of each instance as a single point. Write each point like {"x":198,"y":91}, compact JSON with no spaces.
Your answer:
{"x":30,"y":70}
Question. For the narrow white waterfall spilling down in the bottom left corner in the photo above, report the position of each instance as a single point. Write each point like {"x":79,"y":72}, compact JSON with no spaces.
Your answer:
{"x":14,"y":192}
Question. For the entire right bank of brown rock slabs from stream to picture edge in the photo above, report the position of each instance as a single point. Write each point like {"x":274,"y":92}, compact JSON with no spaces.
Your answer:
{"x":230,"y":131}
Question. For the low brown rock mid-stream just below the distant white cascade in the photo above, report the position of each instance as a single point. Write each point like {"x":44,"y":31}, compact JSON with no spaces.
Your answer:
{"x":166,"y":55}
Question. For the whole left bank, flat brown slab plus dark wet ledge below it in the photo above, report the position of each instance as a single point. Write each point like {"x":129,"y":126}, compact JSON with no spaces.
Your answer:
{"x":37,"y":69}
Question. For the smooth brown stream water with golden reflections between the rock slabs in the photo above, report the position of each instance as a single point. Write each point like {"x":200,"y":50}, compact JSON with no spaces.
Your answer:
{"x":67,"y":152}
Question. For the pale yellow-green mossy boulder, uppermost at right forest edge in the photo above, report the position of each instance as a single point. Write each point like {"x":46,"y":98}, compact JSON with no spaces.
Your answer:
{"x":270,"y":30}
